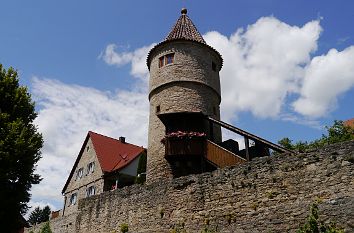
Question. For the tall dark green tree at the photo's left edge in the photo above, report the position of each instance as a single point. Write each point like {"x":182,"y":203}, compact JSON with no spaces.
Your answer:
{"x":20,"y":145}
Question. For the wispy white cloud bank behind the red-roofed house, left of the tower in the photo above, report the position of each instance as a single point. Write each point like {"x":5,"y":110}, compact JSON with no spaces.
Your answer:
{"x":67,"y":113}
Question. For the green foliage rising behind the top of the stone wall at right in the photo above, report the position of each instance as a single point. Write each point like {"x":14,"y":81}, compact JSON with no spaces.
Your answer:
{"x":338,"y":132}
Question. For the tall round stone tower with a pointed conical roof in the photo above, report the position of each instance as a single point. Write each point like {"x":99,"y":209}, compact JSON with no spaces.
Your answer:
{"x":184,"y":82}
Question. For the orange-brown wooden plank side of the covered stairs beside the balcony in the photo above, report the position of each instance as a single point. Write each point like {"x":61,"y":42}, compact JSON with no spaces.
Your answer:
{"x":220,"y":156}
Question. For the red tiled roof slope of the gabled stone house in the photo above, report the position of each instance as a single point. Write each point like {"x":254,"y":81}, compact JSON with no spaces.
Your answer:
{"x":113,"y":154}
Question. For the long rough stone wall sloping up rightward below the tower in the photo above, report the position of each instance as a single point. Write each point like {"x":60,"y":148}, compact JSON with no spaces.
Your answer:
{"x":270,"y":194}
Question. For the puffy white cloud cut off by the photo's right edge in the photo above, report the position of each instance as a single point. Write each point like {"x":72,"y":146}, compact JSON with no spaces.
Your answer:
{"x":326,"y":77}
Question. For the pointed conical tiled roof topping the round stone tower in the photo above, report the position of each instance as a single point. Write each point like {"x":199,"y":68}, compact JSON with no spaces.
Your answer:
{"x":185,"y":29}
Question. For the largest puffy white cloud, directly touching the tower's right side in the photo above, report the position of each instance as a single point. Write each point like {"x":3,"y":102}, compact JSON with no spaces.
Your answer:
{"x":263,"y":64}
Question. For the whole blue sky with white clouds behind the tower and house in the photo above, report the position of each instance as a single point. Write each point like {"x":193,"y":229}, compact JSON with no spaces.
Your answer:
{"x":84,"y":63}
